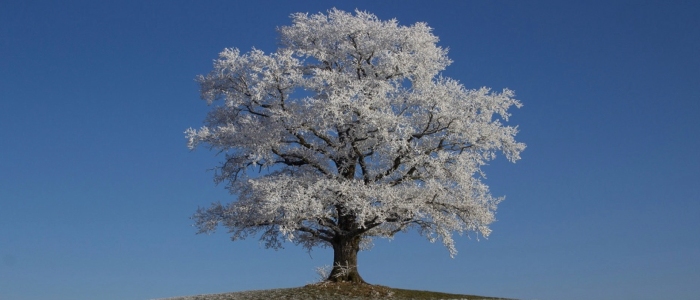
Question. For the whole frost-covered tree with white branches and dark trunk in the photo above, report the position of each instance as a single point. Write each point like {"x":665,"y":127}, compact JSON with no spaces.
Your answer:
{"x":348,"y":132}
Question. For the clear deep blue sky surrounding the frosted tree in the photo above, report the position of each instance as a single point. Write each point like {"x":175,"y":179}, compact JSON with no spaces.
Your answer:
{"x":97,"y":184}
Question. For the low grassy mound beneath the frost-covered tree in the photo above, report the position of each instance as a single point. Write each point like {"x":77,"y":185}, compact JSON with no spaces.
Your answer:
{"x":340,"y":291}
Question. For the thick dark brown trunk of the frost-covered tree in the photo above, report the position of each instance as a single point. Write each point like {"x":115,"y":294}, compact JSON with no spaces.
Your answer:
{"x":345,"y":260}
